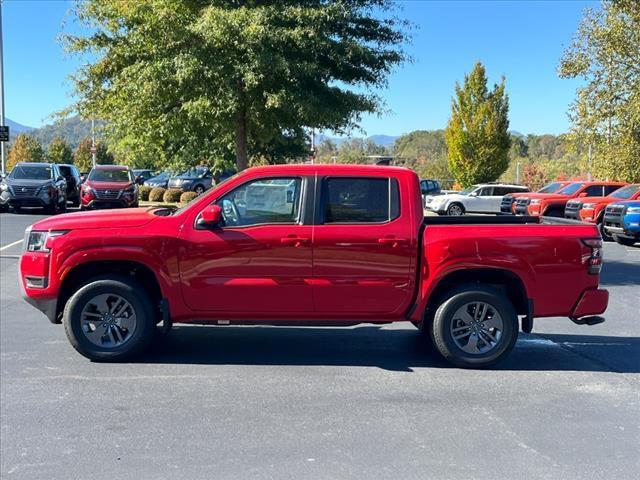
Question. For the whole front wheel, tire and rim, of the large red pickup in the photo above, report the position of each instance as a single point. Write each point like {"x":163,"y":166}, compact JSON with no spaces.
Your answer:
{"x":109,"y":319}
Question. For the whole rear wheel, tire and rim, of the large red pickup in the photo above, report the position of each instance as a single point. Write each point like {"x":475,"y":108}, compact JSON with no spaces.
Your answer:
{"x":475,"y":327}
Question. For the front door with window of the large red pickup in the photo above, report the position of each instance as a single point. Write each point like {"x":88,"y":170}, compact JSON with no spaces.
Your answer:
{"x":259,"y":262}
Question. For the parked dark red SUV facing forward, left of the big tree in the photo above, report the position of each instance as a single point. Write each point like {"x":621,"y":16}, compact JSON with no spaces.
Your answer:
{"x":109,"y":186}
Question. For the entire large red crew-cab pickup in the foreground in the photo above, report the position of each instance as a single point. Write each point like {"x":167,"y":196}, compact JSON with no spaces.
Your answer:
{"x":310,"y":245}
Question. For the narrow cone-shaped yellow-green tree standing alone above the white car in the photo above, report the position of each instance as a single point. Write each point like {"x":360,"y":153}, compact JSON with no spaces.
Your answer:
{"x":477,"y":134}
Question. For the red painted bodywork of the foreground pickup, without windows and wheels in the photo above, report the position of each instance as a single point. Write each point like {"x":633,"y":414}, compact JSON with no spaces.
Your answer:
{"x":338,"y":272}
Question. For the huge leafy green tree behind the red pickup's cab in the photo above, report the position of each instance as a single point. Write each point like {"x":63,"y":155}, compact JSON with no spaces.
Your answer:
{"x":206,"y":79}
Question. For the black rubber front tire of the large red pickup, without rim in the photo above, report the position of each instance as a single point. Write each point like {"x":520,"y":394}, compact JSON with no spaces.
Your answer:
{"x":124,"y":287}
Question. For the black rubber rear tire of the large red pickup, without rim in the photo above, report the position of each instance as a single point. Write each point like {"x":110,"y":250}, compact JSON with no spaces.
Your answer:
{"x":444,"y":316}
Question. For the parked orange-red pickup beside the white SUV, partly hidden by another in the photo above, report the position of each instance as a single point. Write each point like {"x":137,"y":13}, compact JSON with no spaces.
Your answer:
{"x":553,"y":204}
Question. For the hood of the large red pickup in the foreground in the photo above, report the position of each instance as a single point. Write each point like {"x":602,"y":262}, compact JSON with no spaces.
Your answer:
{"x":122,"y":218}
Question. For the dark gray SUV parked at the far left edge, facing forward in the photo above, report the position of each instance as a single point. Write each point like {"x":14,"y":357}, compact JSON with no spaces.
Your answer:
{"x":34,"y":185}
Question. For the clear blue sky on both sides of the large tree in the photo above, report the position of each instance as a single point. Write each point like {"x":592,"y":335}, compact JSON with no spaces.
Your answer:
{"x":522,"y":40}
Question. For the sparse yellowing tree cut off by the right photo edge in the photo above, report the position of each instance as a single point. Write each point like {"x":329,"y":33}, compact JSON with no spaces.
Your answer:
{"x":605,"y":53}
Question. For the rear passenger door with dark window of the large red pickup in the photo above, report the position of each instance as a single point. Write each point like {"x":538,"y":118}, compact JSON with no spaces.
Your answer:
{"x":364,"y":247}
